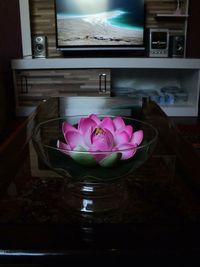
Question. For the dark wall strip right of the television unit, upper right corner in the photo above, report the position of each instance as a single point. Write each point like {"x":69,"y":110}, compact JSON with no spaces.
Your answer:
{"x":193,"y":45}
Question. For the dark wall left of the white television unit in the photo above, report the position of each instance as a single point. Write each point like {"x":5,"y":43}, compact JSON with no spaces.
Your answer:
{"x":10,"y":47}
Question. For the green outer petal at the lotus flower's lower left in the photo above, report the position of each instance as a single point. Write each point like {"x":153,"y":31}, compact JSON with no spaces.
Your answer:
{"x":83,"y":158}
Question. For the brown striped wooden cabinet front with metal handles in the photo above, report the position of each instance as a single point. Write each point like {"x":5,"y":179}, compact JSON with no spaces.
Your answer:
{"x":42,"y":84}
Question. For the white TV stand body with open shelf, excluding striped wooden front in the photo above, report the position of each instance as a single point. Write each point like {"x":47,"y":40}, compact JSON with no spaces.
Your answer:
{"x":134,"y":73}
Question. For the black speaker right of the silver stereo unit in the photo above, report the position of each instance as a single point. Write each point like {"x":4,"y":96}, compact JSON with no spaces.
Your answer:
{"x":177,"y":46}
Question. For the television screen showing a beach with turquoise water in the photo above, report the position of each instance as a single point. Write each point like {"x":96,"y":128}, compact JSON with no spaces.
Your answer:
{"x":99,"y":24}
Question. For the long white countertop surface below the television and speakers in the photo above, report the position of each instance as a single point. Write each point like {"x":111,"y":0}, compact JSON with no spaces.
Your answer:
{"x":113,"y":63}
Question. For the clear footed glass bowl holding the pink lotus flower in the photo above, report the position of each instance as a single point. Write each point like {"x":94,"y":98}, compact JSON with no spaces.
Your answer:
{"x":91,"y":188}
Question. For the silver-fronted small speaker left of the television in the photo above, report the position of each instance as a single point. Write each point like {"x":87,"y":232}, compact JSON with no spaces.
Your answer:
{"x":39,"y":46}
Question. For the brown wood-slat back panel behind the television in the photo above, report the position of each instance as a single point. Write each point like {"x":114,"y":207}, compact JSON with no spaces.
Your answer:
{"x":43,"y":20}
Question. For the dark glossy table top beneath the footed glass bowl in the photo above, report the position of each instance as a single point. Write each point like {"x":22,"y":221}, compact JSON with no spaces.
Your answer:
{"x":158,"y":190}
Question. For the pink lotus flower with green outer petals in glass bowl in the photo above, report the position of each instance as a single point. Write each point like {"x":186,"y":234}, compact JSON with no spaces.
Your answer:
{"x":96,"y":141}
